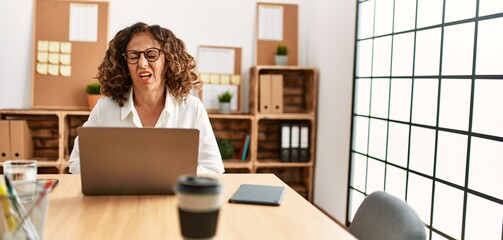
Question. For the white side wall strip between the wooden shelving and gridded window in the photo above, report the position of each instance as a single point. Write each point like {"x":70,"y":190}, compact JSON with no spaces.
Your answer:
{"x":331,"y":49}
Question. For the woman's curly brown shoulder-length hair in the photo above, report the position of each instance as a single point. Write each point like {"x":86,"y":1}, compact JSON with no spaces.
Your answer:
{"x":179,"y":72}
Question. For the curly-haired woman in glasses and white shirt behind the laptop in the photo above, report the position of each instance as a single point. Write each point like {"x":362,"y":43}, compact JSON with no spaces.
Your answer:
{"x":147,"y":76}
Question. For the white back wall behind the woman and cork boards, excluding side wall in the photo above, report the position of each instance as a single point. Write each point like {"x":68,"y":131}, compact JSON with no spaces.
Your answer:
{"x":196,"y":22}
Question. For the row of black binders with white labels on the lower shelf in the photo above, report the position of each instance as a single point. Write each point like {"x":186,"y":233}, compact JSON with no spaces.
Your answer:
{"x":294,"y":142}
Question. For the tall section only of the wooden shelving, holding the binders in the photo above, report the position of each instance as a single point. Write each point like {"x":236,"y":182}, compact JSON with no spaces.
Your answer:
{"x":300,"y":91}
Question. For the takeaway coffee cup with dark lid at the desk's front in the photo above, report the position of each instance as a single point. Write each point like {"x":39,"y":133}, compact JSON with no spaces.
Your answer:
{"x":198,"y":206}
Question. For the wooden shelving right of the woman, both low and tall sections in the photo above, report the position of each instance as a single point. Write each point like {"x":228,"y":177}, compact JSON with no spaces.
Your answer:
{"x":298,"y":95}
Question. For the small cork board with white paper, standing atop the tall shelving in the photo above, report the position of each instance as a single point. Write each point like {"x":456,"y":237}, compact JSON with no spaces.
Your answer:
{"x":276,"y":24}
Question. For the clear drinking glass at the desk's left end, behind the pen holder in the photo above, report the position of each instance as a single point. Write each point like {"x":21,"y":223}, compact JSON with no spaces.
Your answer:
{"x":23,"y":176}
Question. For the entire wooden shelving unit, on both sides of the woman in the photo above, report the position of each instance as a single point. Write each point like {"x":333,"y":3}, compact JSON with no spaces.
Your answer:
{"x":53,"y":131}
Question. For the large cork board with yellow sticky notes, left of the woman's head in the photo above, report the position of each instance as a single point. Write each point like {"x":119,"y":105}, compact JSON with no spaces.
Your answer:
{"x":70,"y":40}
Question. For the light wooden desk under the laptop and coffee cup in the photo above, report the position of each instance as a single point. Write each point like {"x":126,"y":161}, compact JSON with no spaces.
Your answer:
{"x":75,"y":216}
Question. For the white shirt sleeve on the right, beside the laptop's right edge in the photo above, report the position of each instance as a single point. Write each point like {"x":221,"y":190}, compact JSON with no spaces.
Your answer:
{"x":209,"y":160}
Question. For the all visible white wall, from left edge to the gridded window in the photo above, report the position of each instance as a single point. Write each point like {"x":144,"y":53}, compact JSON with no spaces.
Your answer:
{"x":326,"y":39}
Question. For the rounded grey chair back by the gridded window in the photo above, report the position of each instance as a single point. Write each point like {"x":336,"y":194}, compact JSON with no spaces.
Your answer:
{"x":383,"y":216}
